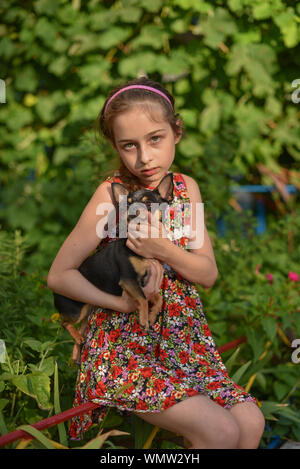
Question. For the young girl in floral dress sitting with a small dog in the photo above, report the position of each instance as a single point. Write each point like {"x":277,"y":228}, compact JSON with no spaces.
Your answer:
{"x":171,"y":376}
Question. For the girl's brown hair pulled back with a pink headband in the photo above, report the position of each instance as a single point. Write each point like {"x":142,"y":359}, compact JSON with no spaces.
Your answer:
{"x":124,"y":102}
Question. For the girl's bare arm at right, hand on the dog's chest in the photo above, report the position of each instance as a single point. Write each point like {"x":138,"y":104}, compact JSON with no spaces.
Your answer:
{"x":197,"y":265}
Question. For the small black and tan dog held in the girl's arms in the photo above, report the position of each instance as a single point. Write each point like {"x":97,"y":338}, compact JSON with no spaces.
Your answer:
{"x":115,"y":267}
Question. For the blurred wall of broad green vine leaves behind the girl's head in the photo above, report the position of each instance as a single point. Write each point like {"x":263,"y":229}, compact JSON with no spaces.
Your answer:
{"x":230,"y":66}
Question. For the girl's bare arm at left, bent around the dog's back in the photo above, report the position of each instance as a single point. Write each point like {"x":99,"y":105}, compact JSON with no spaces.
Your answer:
{"x":63,"y":276}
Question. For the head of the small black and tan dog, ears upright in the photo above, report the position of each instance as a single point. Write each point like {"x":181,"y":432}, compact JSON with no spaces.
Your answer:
{"x":144,"y":200}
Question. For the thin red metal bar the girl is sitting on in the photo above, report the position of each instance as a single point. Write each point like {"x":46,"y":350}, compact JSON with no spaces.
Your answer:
{"x":81,"y":409}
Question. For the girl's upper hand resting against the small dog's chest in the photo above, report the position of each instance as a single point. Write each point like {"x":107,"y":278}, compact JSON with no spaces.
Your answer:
{"x":149,"y":239}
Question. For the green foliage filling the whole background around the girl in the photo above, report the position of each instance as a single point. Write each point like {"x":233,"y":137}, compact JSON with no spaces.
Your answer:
{"x":230,"y":66}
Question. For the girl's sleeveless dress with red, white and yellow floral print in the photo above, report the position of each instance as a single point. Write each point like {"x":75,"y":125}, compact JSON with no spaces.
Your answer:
{"x":129,"y":369}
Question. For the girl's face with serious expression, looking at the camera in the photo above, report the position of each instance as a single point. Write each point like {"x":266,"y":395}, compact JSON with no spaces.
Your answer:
{"x":144,"y":144}
